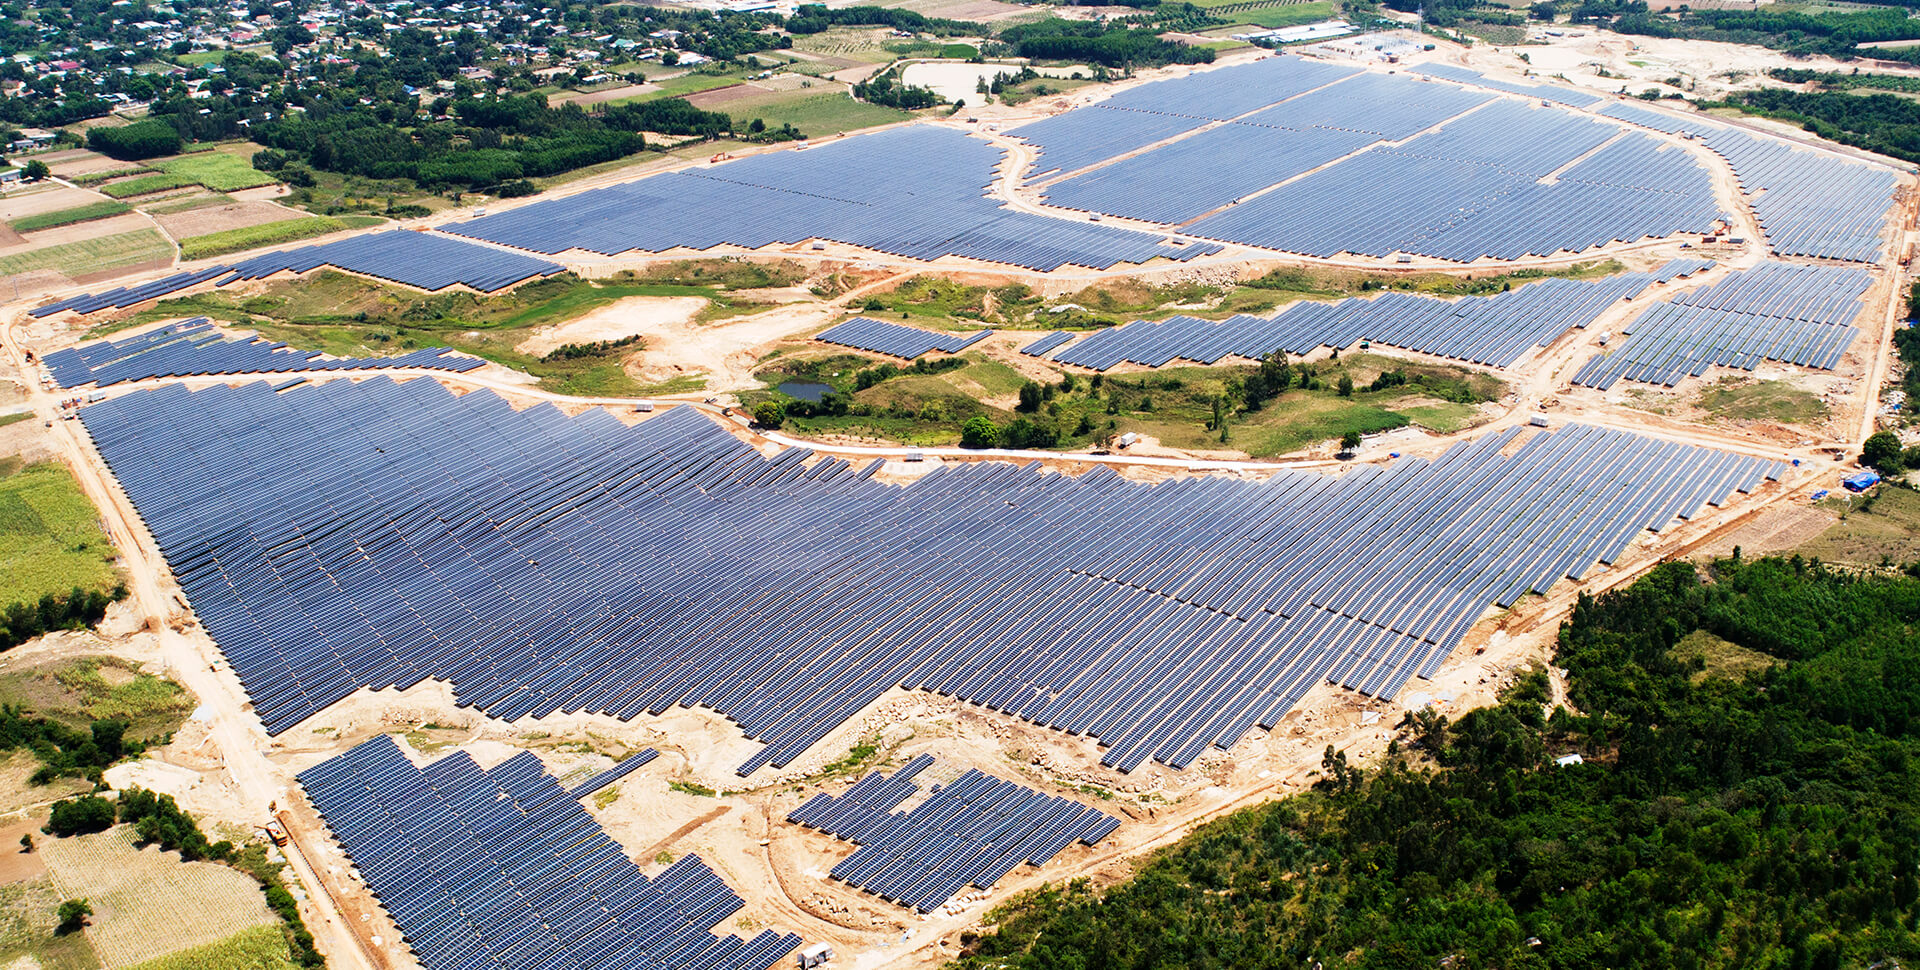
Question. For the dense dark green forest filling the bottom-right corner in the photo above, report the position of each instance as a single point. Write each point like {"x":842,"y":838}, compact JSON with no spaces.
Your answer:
{"x":1746,"y":800}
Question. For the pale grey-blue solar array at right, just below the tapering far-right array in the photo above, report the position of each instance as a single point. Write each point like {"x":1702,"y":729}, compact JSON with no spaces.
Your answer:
{"x":1775,"y":312}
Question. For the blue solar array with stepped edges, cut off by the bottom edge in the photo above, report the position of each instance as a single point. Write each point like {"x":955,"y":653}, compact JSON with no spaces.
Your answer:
{"x":502,"y":869}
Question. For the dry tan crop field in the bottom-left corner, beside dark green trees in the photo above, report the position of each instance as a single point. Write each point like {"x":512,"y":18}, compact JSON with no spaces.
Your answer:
{"x":149,"y":904}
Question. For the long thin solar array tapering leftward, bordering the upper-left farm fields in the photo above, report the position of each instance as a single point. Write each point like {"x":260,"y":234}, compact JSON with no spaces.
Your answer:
{"x":420,"y":260}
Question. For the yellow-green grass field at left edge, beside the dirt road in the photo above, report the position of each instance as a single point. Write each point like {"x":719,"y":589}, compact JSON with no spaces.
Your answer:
{"x":51,"y":537}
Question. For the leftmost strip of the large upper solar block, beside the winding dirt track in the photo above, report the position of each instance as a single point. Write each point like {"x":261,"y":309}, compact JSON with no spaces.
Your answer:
{"x":1161,"y":110}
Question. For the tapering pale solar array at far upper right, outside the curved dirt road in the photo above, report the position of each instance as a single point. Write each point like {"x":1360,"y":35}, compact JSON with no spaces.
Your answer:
{"x":1810,"y":203}
